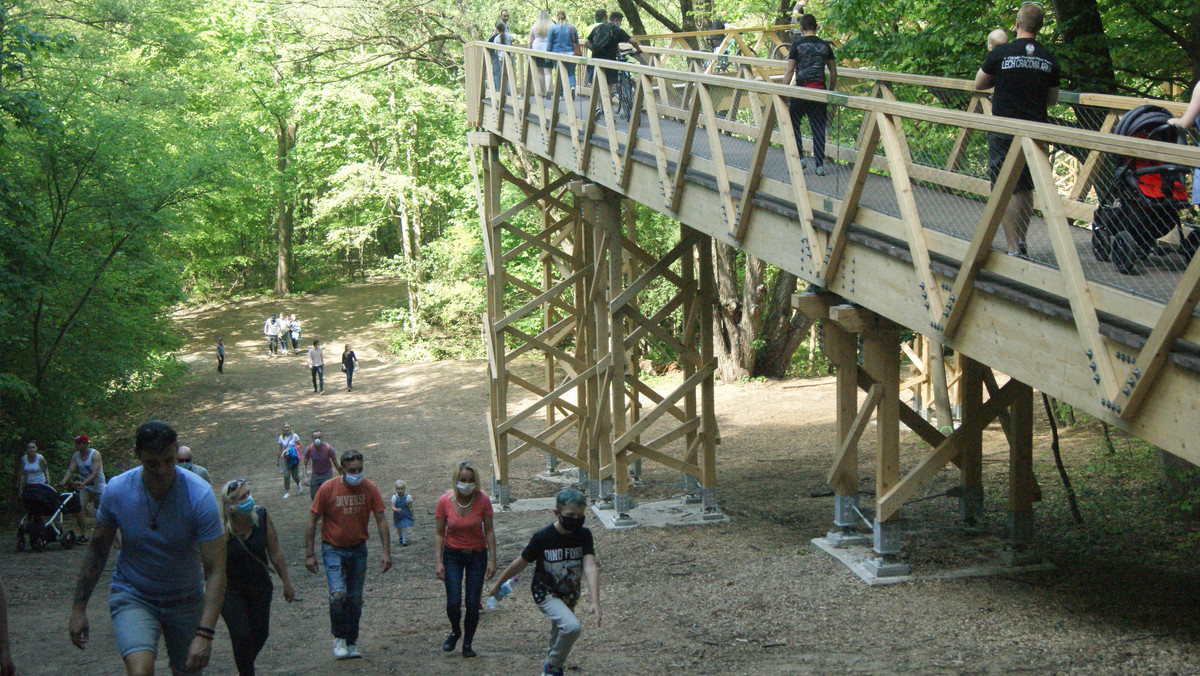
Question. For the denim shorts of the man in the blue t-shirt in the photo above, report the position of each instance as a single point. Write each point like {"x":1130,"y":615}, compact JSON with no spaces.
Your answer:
{"x":137,"y":625}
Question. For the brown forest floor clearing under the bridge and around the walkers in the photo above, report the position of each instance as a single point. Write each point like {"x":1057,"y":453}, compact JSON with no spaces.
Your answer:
{"x":746,"y":597}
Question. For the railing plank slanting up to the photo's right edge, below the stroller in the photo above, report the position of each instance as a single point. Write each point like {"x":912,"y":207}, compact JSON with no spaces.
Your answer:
{"x":1154,"y":355}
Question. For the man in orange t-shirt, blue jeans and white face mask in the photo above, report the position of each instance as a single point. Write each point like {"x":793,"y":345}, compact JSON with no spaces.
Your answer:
{"x":345,"y":506}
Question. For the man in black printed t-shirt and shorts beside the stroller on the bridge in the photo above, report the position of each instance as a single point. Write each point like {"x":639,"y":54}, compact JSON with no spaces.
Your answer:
{"x":1025,"y":77}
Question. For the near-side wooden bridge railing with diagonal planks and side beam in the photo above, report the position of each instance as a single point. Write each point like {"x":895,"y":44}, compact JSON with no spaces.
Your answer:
{"x":889,"y":231}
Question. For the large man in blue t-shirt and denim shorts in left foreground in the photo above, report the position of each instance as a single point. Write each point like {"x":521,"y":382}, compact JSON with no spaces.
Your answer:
{"x":171,"y":575}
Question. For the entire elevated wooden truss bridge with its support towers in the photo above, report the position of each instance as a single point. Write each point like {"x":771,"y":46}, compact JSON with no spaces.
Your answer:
{"x":897,"y":237}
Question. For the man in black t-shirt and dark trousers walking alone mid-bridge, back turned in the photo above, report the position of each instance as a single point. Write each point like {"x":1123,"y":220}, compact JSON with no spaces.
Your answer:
{"x":807,"y":64}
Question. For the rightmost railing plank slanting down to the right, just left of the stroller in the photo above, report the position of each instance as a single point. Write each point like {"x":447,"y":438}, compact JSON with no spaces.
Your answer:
{"x":1083,"y":309}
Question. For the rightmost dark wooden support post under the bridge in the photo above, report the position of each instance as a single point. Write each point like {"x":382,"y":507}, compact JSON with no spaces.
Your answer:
{"x":1021,"y":475}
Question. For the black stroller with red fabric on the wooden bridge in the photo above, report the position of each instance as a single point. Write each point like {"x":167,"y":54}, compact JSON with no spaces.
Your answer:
{"x":1145,"y":199}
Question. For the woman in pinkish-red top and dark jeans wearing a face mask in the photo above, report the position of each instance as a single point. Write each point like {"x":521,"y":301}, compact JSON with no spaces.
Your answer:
{"x":464,"y":547}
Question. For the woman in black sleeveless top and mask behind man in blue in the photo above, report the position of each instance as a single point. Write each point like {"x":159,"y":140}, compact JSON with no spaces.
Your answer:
{"x":248,"y":602}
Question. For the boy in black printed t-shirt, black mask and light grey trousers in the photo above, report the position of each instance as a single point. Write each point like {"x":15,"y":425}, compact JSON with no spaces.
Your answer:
{"x":565,"y":555}
